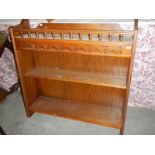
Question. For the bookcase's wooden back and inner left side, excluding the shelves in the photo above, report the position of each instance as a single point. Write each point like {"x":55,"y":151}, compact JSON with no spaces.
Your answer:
{"x":69,"y":90}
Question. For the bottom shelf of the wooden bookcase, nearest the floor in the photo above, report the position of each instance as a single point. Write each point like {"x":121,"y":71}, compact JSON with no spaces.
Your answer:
{"x":92,"y":113}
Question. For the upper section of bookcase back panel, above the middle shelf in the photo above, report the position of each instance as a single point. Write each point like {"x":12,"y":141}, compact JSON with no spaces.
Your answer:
{"x":93,"y":63}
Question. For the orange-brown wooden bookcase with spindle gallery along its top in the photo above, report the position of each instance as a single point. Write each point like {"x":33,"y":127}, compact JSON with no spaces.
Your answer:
{"x":77,"y":71}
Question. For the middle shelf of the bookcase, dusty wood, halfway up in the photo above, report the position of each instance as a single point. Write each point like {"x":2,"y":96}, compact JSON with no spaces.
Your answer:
{"x":93,"y":78}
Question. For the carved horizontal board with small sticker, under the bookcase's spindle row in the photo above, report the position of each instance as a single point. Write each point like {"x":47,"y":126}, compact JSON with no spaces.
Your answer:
{"x":88,"y":47}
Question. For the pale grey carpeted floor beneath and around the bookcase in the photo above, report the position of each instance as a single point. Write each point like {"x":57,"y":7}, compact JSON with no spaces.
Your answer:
{"x":14,"y":121}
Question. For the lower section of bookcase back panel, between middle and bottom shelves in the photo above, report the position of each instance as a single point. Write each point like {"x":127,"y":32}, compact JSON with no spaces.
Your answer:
{"x":82,"y":92}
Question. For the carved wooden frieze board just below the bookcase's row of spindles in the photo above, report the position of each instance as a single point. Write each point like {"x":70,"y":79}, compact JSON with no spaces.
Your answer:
{"x":85,"y":48}
